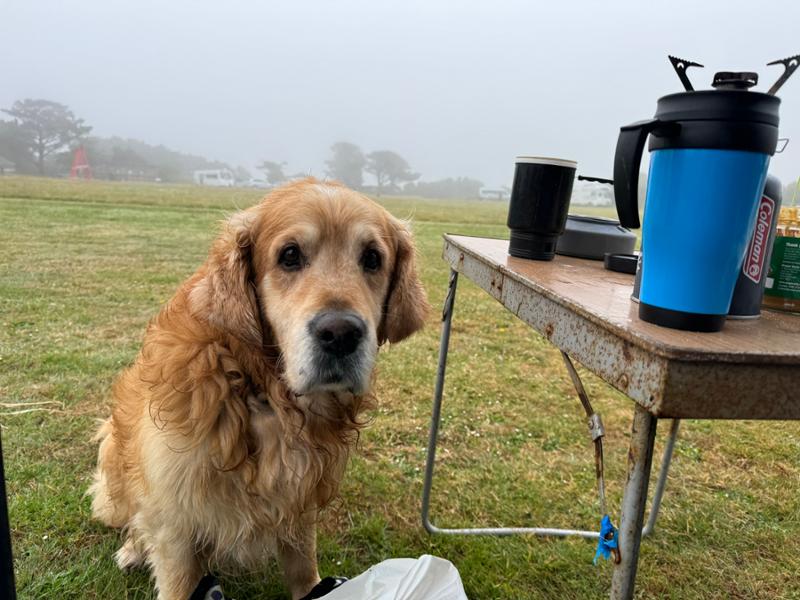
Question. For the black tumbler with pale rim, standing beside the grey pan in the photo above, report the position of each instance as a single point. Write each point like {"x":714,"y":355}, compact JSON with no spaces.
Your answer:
{"x":540,"y":198}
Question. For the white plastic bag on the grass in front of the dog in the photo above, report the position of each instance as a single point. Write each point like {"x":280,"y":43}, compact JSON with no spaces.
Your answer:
{"x":423,"y":578}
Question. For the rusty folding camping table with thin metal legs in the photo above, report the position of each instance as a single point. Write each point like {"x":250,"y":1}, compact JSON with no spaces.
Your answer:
{"x":749,"y":370}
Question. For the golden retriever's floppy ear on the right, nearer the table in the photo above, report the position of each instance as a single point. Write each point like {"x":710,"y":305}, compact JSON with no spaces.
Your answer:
{"x":406,"y":305}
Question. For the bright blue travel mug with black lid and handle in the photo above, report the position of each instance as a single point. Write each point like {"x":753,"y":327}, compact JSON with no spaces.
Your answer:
{"x":710,"y":152}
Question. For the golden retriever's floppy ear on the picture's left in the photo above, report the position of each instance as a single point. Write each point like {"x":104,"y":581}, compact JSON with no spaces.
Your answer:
{"x":224,"y":296}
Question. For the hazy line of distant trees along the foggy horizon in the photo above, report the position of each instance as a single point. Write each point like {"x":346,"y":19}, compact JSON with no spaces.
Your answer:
{"x":41,"y":138}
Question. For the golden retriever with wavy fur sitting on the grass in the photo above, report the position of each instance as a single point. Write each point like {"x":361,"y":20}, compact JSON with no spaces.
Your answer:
{"x":232,"y":428}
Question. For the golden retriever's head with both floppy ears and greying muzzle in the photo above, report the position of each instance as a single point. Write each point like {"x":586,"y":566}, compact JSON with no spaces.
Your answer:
{"x":321,"y":271}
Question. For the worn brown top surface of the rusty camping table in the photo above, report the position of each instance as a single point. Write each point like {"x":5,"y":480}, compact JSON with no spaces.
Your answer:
{"x":603,"y":297}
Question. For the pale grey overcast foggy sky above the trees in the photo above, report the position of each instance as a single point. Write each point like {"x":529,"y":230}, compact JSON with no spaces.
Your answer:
{"x":457,"y":88}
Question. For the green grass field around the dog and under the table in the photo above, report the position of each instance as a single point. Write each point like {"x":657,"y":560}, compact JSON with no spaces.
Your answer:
{"x":84,"y":266}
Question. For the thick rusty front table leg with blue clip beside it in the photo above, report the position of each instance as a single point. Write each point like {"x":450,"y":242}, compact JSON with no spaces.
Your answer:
{"x":640,"y":459}
